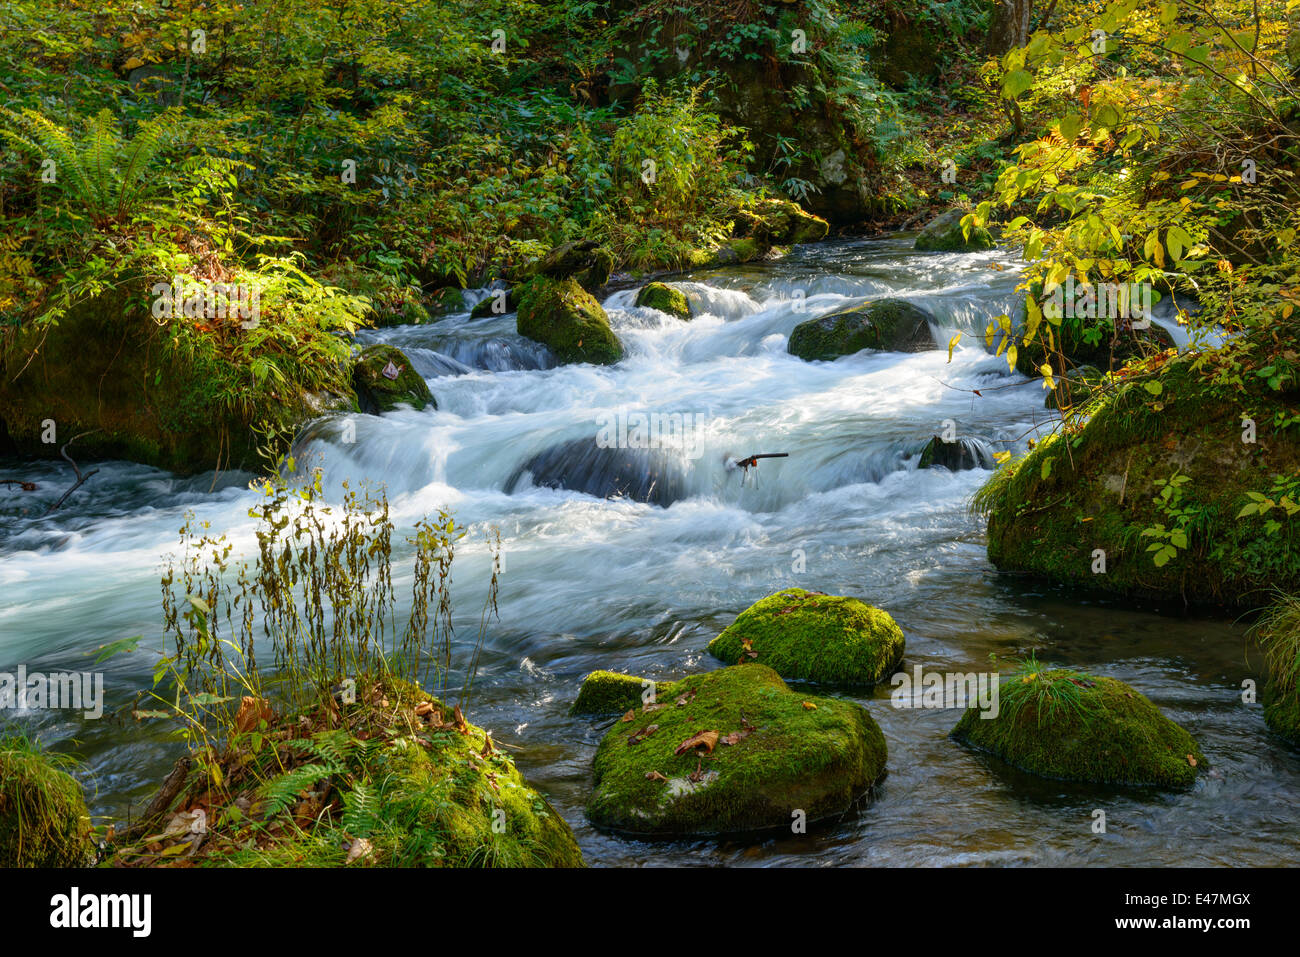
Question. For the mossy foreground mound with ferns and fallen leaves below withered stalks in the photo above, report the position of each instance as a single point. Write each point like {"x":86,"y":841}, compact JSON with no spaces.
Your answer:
{"x":395,"y":780}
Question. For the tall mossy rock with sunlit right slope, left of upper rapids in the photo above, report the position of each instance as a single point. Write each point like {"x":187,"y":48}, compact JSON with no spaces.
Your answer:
{"x":566,"y":318}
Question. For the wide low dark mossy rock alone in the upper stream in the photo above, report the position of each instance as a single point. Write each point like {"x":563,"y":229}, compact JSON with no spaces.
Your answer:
{"x":894,"y":326}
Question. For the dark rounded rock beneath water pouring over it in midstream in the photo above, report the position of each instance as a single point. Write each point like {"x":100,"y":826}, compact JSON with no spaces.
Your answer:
{"x":582,"y":465}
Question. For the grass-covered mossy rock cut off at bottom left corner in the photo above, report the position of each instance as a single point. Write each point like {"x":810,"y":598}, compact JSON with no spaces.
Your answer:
{"x":44,"y":816}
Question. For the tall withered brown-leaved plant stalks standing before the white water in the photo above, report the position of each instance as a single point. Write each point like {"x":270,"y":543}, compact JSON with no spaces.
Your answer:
{"x":320,"y":590}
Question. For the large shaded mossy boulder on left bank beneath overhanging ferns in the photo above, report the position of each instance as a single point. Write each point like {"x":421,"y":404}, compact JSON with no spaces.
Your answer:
{"x":110,"y":375}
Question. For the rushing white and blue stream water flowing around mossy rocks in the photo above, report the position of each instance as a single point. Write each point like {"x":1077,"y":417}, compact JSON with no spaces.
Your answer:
{"x":643,"y":586}
